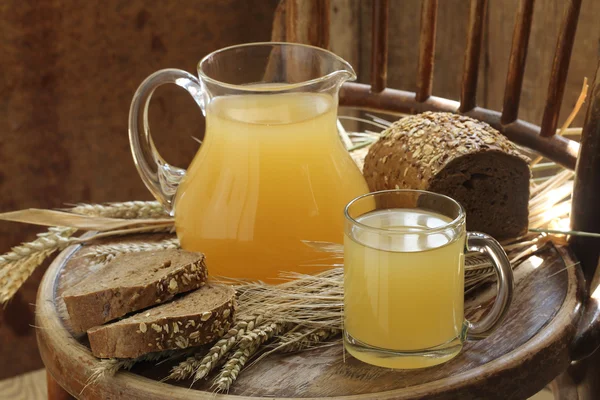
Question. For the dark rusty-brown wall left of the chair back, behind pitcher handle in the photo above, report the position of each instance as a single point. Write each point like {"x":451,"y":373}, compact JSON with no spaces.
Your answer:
{"x":68,"y":70}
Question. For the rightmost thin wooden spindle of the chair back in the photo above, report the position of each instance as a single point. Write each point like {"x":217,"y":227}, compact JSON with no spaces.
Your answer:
{"x":560,"y":68}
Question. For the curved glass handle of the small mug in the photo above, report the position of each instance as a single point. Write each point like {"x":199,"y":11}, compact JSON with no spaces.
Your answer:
{"x":486,"y":244}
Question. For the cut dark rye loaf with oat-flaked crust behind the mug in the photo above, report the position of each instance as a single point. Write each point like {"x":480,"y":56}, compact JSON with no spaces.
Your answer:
{"x":460,"y":157}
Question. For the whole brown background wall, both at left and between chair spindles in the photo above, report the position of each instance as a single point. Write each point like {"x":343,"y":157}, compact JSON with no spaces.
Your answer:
{"x":69,"y":68}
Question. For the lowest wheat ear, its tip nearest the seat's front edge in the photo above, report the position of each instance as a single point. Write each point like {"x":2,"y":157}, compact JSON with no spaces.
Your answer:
{"x":247,"y":347}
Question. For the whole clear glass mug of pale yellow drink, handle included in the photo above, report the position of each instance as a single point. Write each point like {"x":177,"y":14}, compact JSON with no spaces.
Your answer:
{"x":404,"y":279}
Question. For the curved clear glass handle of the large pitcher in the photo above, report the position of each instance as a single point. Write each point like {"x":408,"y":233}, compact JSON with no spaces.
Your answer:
{"x":161,"y":178}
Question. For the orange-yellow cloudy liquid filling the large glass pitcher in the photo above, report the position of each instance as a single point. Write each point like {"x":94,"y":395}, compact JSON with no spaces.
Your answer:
{"x":271,"y":173}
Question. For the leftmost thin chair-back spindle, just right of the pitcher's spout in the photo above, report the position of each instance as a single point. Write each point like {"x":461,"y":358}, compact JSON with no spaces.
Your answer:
{"x":379,"y":51}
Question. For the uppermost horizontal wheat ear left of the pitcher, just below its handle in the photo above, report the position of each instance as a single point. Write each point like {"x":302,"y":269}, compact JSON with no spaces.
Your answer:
{"x":125,"y":210}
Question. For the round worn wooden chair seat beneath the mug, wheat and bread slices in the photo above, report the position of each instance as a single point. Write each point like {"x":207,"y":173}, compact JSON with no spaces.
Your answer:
{"x":516,"y":361}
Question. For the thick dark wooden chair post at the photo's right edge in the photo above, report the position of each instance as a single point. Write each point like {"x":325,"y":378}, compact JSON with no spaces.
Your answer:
{"x":585,"y":208}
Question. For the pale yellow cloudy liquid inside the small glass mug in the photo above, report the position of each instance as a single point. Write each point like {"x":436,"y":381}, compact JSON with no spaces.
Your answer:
{"x":403,"y":293}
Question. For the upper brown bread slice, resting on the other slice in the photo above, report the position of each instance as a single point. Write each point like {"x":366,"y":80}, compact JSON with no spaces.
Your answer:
{"x":131,"y":282}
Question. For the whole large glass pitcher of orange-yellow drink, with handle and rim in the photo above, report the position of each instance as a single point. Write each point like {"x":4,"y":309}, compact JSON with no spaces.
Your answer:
{"x":271,"y":172}
